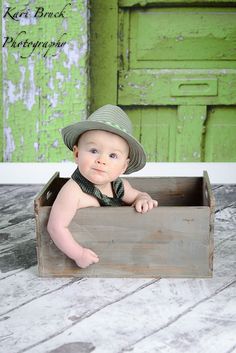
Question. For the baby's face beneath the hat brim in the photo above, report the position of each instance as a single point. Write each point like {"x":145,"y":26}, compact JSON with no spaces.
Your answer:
{"x":101,"y":156}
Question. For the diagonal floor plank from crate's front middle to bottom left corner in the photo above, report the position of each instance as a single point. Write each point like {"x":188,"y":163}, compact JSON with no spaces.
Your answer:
{"x":73,"y":303}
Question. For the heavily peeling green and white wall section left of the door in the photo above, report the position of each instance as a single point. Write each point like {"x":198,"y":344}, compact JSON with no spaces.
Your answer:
{"x":42,"y":93}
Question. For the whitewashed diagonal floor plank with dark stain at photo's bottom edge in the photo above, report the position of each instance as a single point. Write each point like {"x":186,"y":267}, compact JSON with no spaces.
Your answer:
{"x":135,"y":317}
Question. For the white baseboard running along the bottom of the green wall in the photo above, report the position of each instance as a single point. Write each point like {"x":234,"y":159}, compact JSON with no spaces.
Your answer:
{"x":40,"y":173}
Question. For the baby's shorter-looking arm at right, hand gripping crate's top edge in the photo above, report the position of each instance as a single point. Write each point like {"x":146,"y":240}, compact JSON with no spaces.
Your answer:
{"x":140,"y":200}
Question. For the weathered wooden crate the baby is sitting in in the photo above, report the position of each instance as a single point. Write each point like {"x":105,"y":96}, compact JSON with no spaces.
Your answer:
{"x":173,"y":240}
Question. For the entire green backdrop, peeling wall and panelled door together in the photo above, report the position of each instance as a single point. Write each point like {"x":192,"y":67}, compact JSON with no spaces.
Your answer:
{"x":177,"y":81}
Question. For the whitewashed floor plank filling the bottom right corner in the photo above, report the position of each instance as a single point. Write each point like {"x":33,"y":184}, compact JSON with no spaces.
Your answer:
{"x":210,"y":327}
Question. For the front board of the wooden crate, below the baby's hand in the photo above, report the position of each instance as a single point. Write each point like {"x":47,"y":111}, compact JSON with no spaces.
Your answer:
{"x":167,"y":242}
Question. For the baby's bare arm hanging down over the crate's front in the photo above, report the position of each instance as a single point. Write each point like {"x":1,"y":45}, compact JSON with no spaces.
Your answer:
{"x":62,"y":212}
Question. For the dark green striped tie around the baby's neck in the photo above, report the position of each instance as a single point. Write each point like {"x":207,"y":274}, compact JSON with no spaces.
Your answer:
{"x":89,"y":188}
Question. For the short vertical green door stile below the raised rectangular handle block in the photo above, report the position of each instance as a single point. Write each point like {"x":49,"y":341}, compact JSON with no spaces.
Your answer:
{"x":190,"y":128}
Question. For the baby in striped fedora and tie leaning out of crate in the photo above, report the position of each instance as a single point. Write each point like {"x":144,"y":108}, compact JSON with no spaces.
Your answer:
{"x":103,"y":148}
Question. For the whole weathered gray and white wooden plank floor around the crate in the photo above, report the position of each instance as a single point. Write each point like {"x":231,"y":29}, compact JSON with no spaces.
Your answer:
{"x":112,"y":315}
